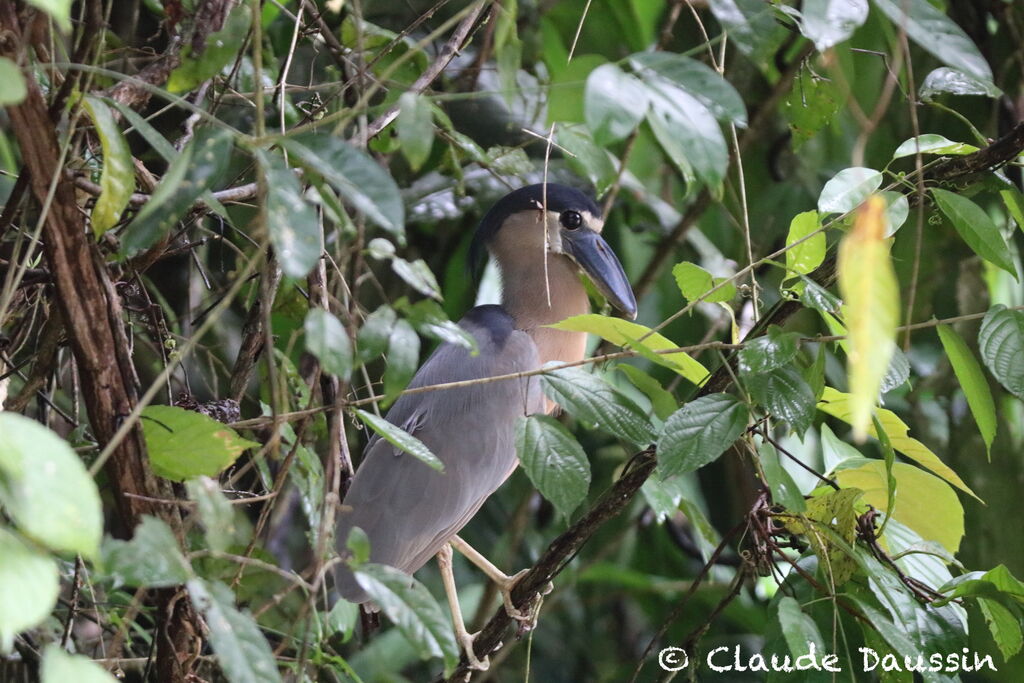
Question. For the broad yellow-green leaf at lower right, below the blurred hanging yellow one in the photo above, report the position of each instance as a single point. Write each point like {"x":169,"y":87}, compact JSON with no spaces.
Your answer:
{"x":926,"y":503}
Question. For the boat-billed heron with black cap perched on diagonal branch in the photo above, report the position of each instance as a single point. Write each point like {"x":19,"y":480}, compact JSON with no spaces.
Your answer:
{"x":541,"y":240}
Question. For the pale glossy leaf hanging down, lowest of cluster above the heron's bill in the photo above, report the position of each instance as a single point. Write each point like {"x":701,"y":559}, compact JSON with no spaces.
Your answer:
{"x":688,"y":131}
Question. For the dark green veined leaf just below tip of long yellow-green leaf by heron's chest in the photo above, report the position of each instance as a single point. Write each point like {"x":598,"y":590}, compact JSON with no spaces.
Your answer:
{"x":699,"y":433}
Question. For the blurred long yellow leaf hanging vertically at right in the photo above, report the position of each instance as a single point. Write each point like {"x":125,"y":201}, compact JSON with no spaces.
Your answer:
{"x":868,"y":285}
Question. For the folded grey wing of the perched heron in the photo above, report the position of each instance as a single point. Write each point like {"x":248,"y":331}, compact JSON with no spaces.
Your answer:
{"x":409,"y":510}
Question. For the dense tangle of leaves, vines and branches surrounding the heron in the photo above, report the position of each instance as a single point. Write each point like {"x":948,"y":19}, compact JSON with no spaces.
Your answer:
{"x":259,"y":215}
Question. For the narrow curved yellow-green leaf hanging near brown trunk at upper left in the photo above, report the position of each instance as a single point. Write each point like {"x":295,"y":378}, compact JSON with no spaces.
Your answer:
{"x":118,"y":180}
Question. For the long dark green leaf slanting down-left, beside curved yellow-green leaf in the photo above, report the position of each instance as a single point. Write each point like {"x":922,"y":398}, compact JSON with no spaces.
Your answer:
{"x":202,"y":162}
